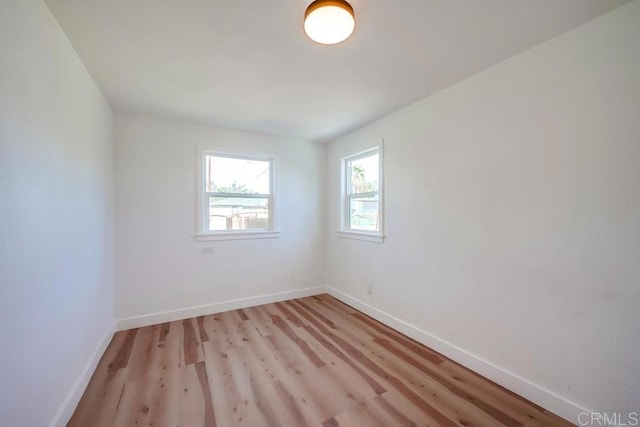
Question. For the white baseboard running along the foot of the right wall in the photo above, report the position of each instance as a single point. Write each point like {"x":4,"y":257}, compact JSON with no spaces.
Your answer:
{"x":525,"y":388}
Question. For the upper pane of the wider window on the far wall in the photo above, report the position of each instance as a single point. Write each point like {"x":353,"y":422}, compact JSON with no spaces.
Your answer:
{"x":237,"y":175}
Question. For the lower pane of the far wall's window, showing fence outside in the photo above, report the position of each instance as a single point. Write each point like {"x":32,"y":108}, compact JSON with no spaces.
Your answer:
{"x":238,"y":213}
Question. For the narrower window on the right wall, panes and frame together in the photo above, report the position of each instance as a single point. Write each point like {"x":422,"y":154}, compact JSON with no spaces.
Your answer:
{"x":362,"y":190}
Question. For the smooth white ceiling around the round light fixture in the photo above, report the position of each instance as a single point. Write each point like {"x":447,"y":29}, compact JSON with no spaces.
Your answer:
{"x":247,"y":64}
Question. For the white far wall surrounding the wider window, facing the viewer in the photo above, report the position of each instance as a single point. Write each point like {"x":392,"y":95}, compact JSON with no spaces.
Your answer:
{"x":159,"y":265}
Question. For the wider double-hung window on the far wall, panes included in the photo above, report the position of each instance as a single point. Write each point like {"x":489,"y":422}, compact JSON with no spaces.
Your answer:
{"x":237,"y":196}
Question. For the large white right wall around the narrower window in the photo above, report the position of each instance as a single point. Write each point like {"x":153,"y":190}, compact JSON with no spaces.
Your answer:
{"x":513,"y":215}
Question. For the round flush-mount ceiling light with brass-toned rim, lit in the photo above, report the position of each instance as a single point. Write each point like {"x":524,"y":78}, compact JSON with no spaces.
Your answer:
{"x":329,"y":21}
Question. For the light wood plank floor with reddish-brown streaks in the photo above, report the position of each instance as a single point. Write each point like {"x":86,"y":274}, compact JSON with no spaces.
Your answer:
{"x":307,"y":362}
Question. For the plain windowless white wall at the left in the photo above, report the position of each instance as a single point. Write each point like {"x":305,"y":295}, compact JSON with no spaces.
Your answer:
{"x":56,"y":218}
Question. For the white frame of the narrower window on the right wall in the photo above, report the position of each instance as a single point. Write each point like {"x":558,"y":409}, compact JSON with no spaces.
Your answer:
{"x":345,"y":196}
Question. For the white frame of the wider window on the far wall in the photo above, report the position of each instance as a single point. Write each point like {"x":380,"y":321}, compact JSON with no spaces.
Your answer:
{"x":203,"y":233}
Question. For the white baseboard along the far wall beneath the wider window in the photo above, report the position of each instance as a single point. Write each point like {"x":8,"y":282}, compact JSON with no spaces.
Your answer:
{"x":218,"y":307}
